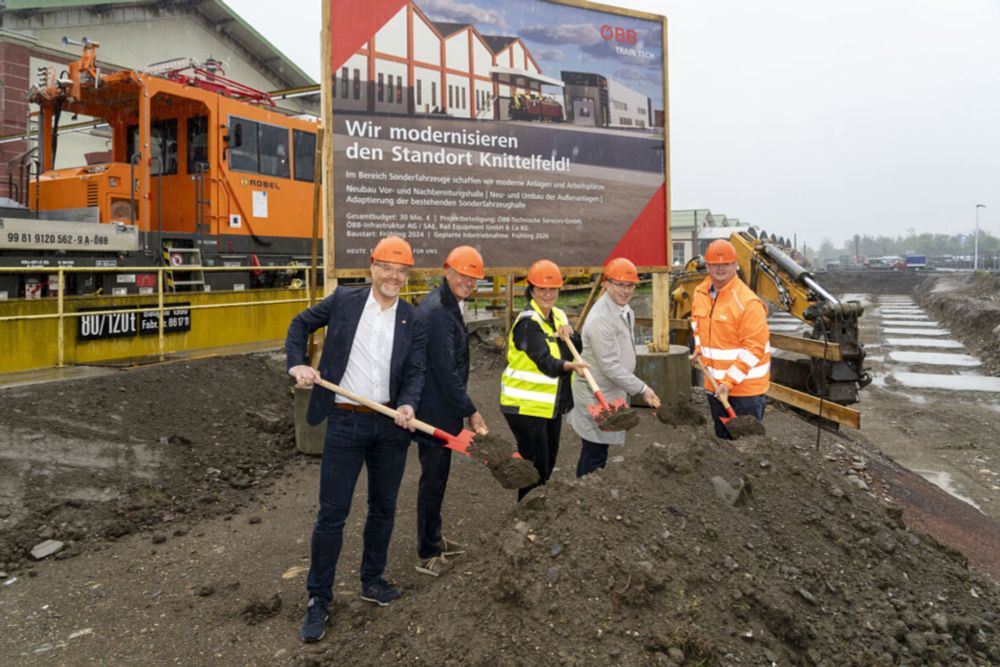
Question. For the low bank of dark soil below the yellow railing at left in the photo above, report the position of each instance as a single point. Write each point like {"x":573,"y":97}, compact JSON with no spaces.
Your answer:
{"x":155,"y":448}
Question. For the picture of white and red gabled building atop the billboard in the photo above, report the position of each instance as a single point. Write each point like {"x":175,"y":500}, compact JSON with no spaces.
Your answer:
{"x":416,"y":65}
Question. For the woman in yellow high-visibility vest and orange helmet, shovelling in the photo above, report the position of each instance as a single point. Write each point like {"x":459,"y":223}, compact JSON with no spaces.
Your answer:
{"x":535,"y":387}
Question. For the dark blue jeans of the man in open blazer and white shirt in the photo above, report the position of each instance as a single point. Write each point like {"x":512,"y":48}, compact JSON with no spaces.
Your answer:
{"x":354,"y":440}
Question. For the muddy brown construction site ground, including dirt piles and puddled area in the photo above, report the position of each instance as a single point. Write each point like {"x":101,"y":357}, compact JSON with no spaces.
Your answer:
{"x":185,"y":514}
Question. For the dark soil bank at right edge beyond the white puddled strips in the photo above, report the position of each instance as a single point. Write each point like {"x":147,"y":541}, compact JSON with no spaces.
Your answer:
{"x":969,"y":306}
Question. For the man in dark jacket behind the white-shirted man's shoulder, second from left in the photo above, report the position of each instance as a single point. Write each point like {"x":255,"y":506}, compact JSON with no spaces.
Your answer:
{"x":445,"y":402}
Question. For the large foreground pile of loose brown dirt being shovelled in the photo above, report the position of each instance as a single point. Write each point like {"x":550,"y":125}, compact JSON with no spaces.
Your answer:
{"x":695,"y":552}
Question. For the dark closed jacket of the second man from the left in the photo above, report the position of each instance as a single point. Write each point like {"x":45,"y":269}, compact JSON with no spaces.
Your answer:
{"x":445,"y":402}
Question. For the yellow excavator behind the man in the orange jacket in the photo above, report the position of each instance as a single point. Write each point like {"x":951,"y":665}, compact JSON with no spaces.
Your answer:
{"x":820,"y":373}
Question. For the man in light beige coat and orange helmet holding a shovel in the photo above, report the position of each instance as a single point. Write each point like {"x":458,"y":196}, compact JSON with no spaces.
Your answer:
{"x":609,"y":350}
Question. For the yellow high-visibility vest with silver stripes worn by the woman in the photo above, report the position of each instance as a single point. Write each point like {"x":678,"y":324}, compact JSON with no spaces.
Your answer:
{"x":522,"y":385}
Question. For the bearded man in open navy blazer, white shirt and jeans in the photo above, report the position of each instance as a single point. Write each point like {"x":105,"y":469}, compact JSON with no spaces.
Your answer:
{"x":375,"y":347}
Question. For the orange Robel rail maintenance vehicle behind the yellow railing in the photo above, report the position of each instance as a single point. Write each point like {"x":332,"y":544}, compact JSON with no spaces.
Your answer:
{"x":202,"y":172}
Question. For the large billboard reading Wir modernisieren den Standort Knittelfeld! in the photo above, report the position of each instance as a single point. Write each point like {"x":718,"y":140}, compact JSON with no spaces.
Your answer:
{"x":525,"y":128}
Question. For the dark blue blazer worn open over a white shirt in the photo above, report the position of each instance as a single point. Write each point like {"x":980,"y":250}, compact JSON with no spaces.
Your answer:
{"x":340,"y":313}
